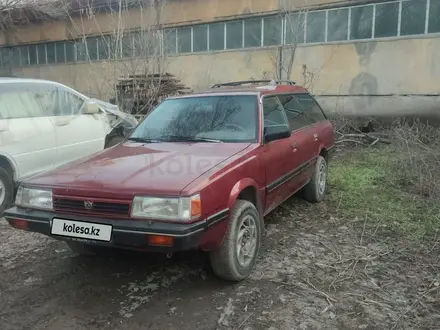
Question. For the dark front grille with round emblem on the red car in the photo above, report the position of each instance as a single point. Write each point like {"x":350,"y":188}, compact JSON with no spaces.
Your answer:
{"x":91,"y":207}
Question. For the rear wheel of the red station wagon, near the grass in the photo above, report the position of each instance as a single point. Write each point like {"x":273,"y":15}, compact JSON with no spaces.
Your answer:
{"x":314,"y":192}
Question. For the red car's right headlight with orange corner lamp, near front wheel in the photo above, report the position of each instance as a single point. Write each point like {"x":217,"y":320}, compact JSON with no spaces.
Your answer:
{"x":180,"y":209}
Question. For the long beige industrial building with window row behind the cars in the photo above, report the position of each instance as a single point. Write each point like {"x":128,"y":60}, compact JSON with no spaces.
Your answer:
{"x":354,"y":54}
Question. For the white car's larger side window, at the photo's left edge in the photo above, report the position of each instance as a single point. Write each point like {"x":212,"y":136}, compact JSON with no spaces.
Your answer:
{"x":21,"y":101}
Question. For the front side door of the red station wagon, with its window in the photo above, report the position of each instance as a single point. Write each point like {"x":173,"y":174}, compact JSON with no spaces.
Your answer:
{"x":278,"y":156}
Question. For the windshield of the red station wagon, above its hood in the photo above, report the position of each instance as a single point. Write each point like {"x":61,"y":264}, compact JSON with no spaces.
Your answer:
{"x":224,"y":118}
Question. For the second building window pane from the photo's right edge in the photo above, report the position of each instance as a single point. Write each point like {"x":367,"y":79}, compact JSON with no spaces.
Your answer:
{"x":413,"y":17}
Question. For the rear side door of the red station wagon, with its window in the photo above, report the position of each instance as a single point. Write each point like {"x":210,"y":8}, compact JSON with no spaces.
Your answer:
{"x":302,"y":140}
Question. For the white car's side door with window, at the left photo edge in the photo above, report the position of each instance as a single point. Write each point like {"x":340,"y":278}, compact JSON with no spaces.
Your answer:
{"x":26,"y":132}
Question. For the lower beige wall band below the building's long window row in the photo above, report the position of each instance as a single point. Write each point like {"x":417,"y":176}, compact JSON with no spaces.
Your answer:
{"x":372,"y":68}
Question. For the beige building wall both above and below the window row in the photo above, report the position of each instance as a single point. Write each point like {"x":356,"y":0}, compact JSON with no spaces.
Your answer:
{"x":379,"y":66}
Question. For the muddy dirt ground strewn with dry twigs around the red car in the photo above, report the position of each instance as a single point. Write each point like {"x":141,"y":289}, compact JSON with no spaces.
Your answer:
{"x":317,"y":269}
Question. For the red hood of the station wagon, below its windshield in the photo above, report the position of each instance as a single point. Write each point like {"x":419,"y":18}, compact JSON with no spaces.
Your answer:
{"x":135,"y":168}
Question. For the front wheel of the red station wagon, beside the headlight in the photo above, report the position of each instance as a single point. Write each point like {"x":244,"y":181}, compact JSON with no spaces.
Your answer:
{"x":225,"y":260}
